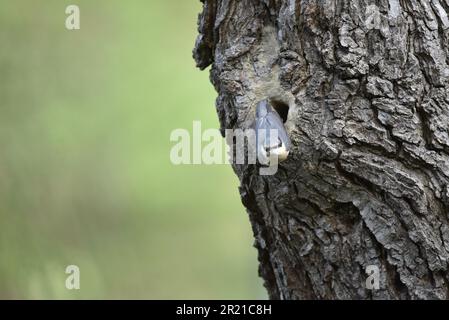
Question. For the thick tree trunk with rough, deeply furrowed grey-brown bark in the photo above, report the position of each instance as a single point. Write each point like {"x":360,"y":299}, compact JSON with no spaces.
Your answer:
{"x":367,"y":182}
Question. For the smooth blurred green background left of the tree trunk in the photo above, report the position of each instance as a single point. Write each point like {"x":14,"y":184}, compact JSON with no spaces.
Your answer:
{"x":85,"y":175}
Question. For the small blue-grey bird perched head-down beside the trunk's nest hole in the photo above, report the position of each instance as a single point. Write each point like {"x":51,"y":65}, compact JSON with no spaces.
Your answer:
{"x":268,"y":144}
